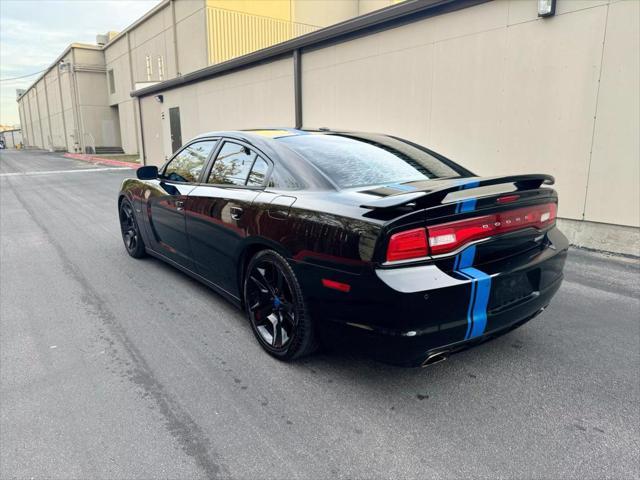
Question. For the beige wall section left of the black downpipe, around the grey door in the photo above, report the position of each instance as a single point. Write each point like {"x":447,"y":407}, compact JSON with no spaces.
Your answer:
{"x":250,"y":98}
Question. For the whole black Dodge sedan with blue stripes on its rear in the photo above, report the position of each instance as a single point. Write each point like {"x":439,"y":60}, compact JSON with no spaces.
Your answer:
{"x":366,"y":239}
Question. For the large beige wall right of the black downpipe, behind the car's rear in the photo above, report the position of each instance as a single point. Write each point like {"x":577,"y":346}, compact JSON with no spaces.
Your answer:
{"x":501,"y":91}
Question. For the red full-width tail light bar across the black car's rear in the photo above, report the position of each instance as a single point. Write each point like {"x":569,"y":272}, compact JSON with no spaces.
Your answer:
{"x":448,"y":237}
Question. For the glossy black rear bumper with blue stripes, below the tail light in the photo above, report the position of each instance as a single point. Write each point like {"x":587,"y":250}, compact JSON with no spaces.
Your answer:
{"x":406,"y":314}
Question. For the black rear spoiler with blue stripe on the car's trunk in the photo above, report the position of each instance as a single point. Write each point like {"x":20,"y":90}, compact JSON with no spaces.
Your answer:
{"x":441,"y":188}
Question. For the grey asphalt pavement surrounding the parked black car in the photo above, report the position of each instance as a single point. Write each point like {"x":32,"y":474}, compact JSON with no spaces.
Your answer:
{"x":117,"y":368}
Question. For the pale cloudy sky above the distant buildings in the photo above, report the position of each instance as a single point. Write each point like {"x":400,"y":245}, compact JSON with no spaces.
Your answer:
{"x":34,"y":32}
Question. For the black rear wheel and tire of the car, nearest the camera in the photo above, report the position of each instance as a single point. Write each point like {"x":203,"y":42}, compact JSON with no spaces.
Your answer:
{"x":283,"y":327}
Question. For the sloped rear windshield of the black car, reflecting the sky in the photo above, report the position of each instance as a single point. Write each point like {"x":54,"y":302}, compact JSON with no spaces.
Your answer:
{"x":361,"y":160}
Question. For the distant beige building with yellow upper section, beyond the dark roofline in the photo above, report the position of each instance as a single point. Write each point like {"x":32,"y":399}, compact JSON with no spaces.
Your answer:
{"x":82,"y":102}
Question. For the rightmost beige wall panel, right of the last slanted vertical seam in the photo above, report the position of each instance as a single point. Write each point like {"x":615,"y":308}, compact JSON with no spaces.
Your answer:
{"x":614,"y":170}
